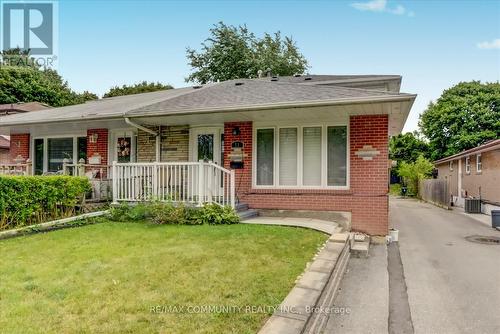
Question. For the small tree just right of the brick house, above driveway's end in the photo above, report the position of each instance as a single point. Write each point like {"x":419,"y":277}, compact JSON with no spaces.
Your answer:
{"x":408,"y":147}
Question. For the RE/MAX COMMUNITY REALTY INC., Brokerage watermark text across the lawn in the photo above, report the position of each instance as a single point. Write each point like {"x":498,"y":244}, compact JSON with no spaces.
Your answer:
{"x":253,"y":309}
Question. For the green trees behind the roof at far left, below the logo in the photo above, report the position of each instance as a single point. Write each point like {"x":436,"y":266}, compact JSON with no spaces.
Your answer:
{"x":28,"y":84}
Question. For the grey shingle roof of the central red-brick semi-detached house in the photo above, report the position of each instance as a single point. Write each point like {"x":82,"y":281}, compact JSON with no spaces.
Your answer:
{"x":234,"y":93}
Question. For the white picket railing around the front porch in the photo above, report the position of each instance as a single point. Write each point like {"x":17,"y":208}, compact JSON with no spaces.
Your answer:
{"x":194,"y":183}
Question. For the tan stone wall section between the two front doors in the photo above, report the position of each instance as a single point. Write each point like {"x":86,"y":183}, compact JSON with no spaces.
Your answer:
{"x":174,"y":144}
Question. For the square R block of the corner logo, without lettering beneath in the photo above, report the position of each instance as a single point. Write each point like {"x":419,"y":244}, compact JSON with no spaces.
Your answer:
{"x":28,"y":26}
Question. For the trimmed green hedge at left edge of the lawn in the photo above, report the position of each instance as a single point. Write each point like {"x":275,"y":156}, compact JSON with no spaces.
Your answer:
{"x":27,"y":200}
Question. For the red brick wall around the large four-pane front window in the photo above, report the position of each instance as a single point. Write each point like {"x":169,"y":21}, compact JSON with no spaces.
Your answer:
{"x":367,"y":198}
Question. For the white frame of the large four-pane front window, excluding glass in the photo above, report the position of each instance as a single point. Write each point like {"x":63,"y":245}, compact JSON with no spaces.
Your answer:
{"x":300,"y":131}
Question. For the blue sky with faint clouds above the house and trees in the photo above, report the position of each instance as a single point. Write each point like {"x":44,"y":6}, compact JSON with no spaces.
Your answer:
{"x":432,"y":44}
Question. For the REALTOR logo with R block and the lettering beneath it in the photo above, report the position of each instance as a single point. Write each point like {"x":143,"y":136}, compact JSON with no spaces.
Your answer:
{"x":29,"y":28}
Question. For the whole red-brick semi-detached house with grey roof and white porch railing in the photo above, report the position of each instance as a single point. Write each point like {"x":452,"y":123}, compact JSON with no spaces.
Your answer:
{"x":311,"y":142}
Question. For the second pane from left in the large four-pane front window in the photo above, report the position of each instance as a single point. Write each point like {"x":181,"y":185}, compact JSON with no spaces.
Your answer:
{"x":288,"y":156}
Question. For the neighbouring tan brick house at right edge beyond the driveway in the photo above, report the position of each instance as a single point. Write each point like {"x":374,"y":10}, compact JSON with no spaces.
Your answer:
{"x":473,"y":173}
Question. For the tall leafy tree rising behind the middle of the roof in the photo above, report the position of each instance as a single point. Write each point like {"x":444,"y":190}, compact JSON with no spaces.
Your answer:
{"x":234,"y":52}
